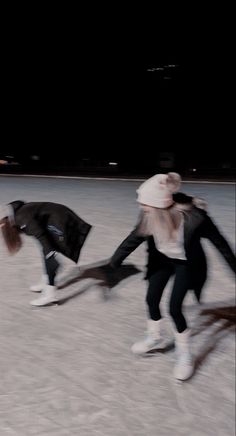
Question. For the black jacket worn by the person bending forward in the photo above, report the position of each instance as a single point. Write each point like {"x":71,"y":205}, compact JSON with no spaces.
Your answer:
{"x":56,"y":227}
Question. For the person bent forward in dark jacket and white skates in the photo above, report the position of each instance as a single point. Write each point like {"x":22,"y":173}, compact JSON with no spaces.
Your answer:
{"x":58,"y":230}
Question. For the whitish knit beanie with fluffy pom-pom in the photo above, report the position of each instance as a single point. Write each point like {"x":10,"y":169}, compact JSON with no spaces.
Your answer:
{"x":157,"y":191}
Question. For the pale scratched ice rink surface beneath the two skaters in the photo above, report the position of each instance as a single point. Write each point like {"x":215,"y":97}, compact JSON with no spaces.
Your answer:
{"x":68,"y":369}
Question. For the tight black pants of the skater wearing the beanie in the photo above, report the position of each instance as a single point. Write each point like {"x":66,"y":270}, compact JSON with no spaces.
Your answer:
{"x":157,"y":283}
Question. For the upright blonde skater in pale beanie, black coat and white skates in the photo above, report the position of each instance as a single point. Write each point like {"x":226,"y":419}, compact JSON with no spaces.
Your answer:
{"x":173,"y":225}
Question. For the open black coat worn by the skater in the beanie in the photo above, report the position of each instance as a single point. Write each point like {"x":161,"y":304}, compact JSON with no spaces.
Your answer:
{"x":197,"y":225}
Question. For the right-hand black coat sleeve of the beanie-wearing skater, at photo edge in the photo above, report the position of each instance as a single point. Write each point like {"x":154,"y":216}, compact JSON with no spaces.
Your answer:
{"x":211,"y":232}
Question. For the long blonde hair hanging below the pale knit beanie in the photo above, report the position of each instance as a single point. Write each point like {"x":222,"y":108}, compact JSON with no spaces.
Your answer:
{"x":162,"y":222}
